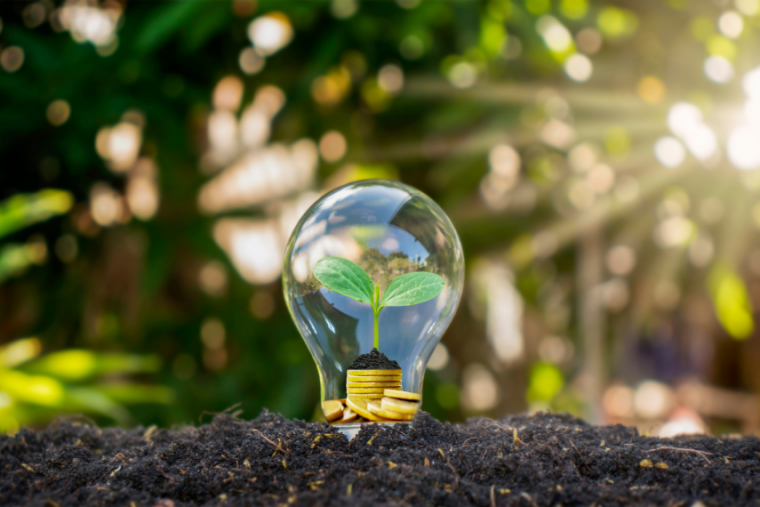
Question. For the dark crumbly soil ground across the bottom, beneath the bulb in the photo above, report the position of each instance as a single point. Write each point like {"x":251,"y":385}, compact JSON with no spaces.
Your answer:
{"x":519,"y":461}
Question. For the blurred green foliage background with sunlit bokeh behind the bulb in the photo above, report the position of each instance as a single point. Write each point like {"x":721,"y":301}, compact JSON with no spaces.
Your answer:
{"x":598,"y":158}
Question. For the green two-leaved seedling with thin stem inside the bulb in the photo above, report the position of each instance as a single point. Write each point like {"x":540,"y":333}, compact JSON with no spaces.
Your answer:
{"x":346,"y":278}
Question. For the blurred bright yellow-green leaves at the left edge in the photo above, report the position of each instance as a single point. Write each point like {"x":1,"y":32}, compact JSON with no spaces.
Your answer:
{"x":36,"y":388}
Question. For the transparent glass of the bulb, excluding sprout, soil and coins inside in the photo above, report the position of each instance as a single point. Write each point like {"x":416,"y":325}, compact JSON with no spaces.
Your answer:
{"x":388,"y":229}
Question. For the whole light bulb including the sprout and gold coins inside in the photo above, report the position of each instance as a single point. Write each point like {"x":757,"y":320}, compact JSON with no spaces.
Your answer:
{"x":374,"y":263}
